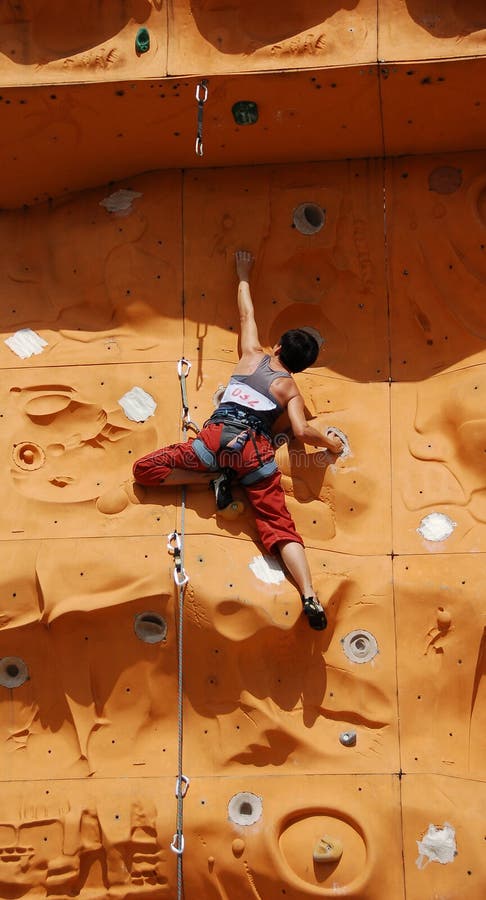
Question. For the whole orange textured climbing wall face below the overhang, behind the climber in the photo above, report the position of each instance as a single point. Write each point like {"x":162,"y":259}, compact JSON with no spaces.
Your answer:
{"x":267,"y":702}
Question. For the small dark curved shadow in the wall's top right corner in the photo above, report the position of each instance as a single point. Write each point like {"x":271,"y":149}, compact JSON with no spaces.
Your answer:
{"x":453,"y":18}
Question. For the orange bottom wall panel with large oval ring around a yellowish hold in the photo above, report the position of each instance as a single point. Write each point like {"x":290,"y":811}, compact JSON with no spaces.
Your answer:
{"x":273,"y":858}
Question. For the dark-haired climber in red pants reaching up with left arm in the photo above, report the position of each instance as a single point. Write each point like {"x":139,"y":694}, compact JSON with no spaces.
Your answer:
{"x":236,"y":442}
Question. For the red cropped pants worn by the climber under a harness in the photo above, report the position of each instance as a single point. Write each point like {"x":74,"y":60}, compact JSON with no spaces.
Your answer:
{"x":272,"y":518}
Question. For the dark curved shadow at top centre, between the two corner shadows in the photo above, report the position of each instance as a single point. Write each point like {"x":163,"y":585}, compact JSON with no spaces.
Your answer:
{"x":246,"y":25}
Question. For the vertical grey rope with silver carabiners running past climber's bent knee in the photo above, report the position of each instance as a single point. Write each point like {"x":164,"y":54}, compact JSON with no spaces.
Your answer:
{"x":175,"y":546}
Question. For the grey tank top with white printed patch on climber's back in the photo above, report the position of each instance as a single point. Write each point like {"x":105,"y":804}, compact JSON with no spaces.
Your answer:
{"x":252,"y":393}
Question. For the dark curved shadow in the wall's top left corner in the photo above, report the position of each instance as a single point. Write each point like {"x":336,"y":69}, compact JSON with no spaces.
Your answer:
{"x":39,"y":31}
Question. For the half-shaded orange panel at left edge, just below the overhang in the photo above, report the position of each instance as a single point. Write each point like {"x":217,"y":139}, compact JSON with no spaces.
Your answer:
{"x":98,"y":285}
